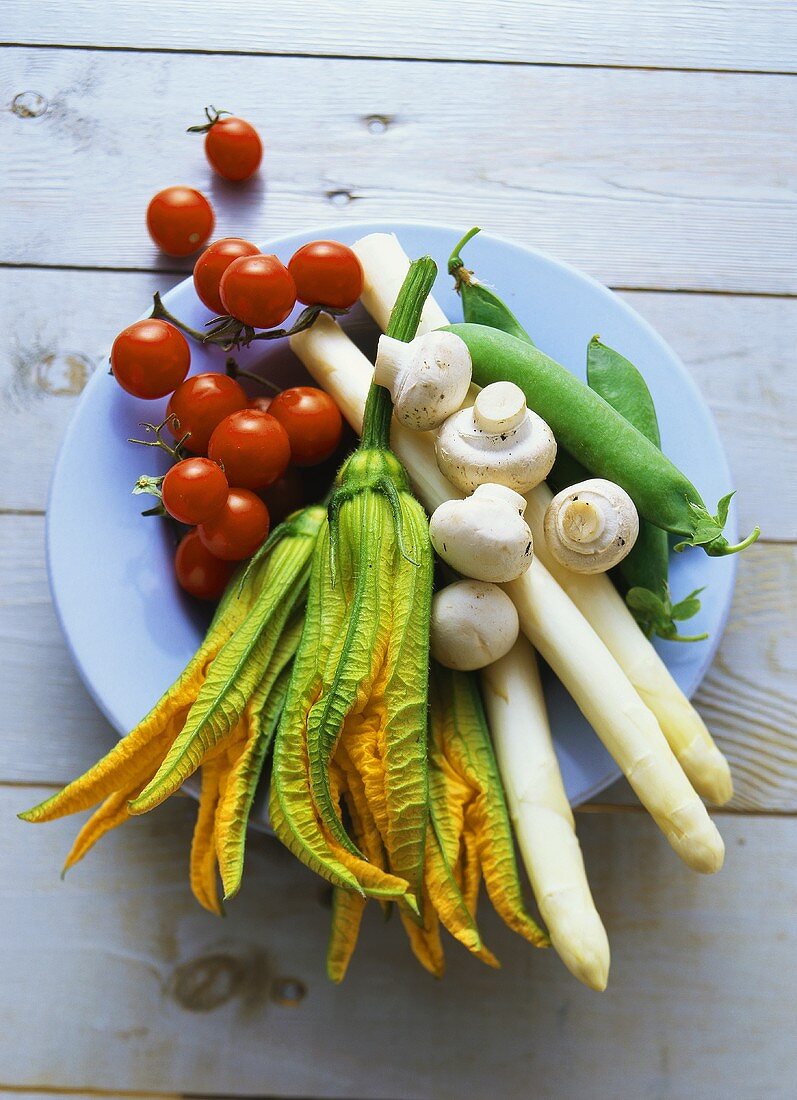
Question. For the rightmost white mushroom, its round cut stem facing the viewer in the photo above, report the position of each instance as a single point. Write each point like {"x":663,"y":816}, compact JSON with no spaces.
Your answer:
{"x":592,"y":526}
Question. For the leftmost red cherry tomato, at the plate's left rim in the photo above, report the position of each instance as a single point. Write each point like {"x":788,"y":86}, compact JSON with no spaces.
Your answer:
{"x":150,"y":359}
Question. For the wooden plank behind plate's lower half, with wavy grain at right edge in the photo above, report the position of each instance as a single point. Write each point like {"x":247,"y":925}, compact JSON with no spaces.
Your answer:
{"x":50,"y":731}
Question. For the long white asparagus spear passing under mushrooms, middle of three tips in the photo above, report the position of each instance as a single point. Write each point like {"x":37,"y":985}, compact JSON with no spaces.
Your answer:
{"x":549,"y":619}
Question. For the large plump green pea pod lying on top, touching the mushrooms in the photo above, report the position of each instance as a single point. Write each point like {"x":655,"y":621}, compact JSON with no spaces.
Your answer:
{"x":601,"y":438}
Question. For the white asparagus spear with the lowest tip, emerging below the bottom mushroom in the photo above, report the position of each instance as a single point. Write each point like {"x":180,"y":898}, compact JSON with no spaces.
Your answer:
{"x":541,"y":813}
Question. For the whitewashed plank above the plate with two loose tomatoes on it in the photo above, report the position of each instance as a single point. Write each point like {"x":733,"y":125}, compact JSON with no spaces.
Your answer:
{"x":646,"y":179}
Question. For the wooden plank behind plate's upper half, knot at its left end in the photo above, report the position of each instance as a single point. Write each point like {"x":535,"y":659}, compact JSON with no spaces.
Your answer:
{"x":740,"y":351}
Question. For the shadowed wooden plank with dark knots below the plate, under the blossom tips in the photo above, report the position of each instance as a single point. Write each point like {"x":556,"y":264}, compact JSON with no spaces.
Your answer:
{"x":137,"y":988}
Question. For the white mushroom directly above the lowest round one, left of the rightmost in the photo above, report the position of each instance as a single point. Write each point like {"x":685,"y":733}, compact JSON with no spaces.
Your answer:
{"x":484,"y":536}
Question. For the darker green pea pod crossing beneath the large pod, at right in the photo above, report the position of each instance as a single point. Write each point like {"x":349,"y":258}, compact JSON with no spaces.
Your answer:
{"x":646,"y":569}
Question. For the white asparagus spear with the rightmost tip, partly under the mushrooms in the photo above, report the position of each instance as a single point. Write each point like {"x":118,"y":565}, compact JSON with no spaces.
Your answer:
{"x":385,"y":266}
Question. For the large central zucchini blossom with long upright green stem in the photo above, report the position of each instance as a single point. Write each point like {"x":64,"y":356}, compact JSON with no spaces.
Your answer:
{"x":363,"y":658}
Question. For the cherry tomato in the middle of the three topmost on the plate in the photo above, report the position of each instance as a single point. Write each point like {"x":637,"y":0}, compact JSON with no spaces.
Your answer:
{"x":258,"y":291}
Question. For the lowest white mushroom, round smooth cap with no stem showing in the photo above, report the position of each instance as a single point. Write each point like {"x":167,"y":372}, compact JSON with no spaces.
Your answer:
{"x":473,"y":624}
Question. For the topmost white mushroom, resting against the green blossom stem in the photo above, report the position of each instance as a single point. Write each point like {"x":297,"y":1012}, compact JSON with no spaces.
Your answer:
{"x":428,"y":378}
